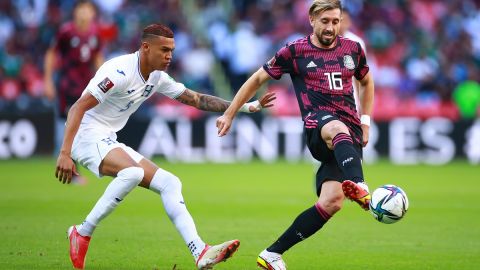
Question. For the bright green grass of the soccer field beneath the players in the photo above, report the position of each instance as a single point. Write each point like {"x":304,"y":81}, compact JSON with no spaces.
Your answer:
{"x":254,"y":202}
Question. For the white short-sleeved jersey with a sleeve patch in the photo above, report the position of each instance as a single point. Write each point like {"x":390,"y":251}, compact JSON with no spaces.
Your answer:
{"x":120,"y":89}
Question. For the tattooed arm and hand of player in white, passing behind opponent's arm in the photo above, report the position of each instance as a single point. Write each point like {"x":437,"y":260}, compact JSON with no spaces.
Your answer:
{"x":215,"y":104}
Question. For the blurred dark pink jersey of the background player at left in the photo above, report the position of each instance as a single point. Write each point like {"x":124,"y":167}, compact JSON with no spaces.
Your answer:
{"x":77,"y":51}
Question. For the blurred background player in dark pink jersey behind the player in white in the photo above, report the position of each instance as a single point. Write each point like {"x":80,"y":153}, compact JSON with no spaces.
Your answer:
{"x":78,"y":49}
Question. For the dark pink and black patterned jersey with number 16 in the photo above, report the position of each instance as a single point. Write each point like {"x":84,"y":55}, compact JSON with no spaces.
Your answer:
{"x":322,"y":78}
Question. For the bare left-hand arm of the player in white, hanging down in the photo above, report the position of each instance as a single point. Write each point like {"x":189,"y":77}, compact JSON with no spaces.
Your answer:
{"x":65,"y":166}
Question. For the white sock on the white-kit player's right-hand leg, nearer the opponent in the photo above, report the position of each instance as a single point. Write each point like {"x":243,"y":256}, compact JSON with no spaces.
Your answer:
{"x":170,"y":189}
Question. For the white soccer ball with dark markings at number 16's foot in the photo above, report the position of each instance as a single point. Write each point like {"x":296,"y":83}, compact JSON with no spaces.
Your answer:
{"x":389,"y":204}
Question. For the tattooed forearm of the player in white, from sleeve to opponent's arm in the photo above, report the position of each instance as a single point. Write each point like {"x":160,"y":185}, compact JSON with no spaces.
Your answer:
{"x":203,"y":102}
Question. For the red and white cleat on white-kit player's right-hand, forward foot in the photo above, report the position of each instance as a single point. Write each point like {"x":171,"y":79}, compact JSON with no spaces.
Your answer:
{"x":212,"y":255}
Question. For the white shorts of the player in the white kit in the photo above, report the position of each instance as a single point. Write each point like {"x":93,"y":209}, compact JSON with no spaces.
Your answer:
{"x":90,"y":147}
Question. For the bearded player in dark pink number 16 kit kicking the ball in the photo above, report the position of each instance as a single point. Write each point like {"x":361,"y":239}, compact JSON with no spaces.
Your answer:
{"x":321,"y":67}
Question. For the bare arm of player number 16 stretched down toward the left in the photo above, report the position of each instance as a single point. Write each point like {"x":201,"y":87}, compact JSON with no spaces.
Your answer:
{"x":246,"y":92}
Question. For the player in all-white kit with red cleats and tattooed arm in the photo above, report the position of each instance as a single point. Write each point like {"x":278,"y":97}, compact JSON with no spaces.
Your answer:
{"x":118,"y":88}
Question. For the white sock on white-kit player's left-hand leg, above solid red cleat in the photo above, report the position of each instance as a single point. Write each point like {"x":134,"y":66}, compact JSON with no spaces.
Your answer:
{"x":126,"y":180}
